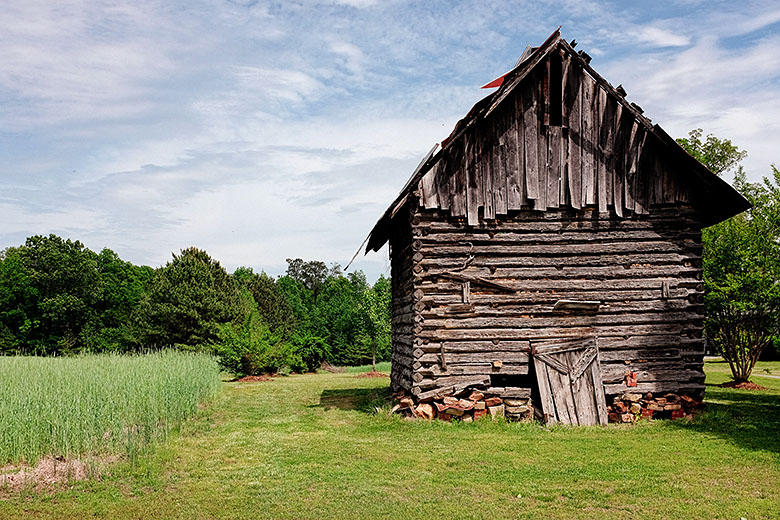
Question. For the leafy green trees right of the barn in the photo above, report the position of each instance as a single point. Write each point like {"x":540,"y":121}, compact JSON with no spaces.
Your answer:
{"x":741,"y":262}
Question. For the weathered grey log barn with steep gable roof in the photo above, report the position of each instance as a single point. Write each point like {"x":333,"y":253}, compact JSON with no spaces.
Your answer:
{"x":551,"y":248}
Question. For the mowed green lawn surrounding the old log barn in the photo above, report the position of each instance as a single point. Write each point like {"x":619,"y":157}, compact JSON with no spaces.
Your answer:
{"x":311,"y":446}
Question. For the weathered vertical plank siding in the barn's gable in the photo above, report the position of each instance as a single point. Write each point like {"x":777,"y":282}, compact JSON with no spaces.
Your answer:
{"x":599,"y":154}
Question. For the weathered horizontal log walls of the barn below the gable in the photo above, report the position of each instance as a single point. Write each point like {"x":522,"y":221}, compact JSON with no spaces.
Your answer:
{"x":451,"y":326}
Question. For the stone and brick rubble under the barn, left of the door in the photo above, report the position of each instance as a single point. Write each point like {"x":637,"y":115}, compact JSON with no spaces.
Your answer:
{"x":470,"y":406}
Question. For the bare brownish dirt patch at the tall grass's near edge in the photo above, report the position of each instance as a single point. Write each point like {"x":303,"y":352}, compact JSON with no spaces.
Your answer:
{"x":49,"y":473}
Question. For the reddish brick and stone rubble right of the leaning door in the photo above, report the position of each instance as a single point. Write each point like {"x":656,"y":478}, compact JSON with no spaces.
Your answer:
{"x":631,"y":407}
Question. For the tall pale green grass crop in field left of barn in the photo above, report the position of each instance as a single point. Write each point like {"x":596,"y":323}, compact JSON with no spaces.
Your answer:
{"x":97,"y":404}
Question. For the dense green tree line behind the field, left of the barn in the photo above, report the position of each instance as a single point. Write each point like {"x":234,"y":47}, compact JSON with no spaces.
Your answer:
{"x":58,"y":297}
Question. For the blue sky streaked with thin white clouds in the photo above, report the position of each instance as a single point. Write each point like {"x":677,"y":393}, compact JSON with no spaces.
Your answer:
{"x":261,"y":131}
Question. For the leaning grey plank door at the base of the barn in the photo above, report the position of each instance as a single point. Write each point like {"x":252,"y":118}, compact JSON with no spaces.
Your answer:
{"x":569,"y":379}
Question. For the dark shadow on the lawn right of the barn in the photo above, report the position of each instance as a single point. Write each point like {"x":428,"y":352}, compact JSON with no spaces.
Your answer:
{"x":749,"y":419}
